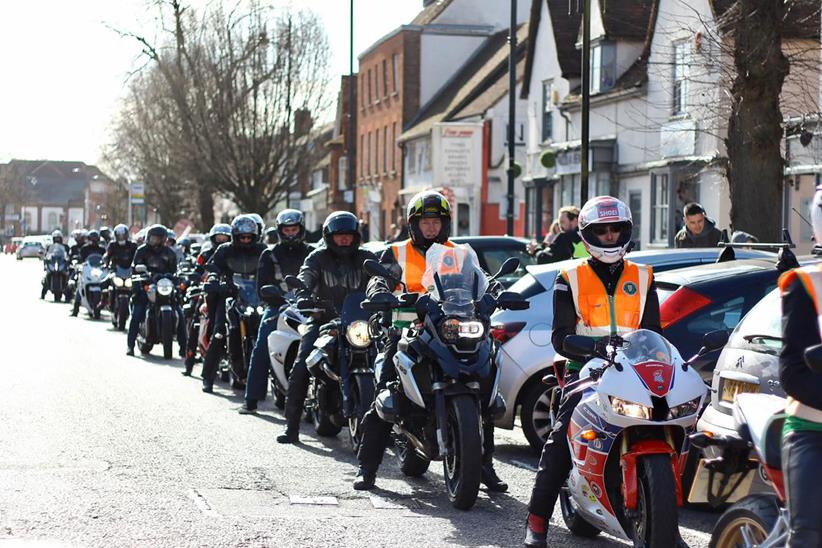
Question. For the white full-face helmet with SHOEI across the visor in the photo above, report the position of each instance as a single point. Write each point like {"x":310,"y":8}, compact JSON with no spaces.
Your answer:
{"x":595,"y":215}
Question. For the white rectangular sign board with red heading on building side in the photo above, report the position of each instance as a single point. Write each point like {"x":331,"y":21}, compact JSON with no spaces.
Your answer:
{"x":457,"y":154}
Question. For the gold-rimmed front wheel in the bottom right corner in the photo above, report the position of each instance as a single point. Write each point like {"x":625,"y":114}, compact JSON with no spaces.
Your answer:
{"x":746,"y":523}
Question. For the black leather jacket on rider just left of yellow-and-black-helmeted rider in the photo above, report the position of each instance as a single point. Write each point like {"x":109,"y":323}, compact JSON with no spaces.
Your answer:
{"x":331,"y":277}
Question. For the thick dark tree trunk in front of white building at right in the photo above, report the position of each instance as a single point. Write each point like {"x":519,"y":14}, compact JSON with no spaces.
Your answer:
{"x":755,"y":163}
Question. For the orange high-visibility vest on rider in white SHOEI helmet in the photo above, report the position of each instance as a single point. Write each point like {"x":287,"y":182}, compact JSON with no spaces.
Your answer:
{"x":600,"y":314}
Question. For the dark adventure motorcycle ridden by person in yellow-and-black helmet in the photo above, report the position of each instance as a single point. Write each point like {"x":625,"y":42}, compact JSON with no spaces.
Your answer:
{"x":446,"y":370}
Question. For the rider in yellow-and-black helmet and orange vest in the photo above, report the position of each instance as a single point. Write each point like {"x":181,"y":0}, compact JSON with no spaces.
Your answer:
{"x":429,"y":219}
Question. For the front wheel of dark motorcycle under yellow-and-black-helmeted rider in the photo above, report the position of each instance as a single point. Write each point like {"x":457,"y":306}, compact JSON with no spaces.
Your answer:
{"x":462,"y":467}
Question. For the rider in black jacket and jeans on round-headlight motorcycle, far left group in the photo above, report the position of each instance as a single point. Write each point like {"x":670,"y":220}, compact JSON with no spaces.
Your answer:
{"x":158,"y":259}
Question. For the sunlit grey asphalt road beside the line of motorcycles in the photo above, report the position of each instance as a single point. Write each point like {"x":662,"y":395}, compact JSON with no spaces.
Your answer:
{"x":99,"y":449}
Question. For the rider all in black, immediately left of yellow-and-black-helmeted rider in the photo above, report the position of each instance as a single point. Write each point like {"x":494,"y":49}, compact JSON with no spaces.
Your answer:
{"x":329,"y":273}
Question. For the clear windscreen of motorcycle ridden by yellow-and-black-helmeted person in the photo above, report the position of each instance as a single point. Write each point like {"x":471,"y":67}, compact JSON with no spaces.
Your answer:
{"x":454,"y":278}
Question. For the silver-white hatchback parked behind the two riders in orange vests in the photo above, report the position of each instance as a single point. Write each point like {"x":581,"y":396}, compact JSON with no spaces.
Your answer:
{"x":526,"y":354}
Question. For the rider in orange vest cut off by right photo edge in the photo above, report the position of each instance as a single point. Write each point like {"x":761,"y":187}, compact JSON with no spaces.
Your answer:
{"x":802,"y":433}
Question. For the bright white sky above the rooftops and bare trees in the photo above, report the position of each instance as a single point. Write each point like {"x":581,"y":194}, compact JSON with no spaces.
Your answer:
{"x":63,"y":69}
